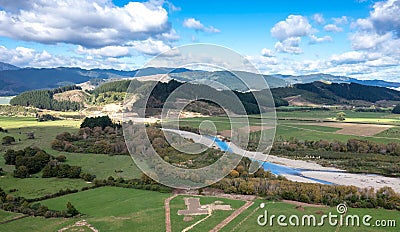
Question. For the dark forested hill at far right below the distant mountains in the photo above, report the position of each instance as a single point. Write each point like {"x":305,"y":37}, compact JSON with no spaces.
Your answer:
{"x":337,"y":93}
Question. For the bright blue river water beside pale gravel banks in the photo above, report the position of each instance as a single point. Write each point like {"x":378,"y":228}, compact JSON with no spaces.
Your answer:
{"x":273,"y":168}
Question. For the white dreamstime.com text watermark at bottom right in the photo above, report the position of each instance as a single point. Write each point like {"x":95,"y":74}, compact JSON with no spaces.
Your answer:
{"x":341,"y":218}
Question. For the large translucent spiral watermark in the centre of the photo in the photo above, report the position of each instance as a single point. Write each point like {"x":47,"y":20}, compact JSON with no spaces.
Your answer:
{"x":229,"y":73}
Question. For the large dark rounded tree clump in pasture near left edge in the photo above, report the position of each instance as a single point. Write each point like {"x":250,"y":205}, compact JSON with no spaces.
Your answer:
{"x":27,"y":161}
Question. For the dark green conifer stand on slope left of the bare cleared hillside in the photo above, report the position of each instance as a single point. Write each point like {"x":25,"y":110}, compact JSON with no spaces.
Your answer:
{"x":43,"y":99}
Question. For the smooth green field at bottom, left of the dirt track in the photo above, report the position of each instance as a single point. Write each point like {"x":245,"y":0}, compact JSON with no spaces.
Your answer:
{"x":117,"y":209}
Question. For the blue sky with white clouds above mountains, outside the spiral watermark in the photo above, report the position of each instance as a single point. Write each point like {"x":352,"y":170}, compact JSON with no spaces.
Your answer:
{"x":357,"y":38}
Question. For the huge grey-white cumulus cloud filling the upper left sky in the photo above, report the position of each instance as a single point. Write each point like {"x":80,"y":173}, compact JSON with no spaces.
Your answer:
{"x":87,"y":23}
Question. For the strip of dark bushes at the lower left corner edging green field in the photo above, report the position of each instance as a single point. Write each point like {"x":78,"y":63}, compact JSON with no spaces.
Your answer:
{"x":21,"y":205}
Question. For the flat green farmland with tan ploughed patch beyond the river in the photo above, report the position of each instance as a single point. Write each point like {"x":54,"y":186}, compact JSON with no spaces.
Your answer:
{"x":307,"y":130}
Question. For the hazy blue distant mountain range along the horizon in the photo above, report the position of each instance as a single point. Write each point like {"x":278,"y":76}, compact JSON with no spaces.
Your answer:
{"x":14,"y":80}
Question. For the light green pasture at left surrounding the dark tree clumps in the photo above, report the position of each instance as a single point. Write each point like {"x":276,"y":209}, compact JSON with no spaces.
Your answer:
{"x":99,"y":164}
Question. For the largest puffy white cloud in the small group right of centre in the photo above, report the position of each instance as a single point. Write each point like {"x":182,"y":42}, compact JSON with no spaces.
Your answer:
{"x":293,"y":26}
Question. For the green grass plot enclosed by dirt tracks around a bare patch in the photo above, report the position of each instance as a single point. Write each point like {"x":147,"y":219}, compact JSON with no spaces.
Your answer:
{"x":217,"y":216}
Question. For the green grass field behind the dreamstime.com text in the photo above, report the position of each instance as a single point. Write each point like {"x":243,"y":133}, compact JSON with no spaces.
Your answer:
{"x":247,"y":221}
